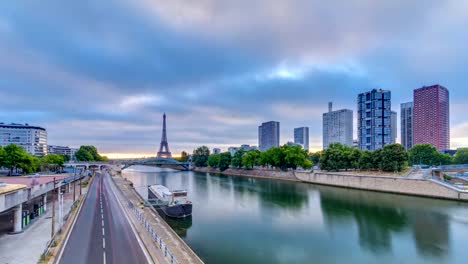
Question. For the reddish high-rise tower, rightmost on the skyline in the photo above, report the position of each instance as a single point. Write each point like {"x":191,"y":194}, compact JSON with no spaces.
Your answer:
{"x":431,"y":116}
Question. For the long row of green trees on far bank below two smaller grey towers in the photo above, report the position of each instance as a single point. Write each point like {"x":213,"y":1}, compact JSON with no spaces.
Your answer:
{"x":284,"y":157}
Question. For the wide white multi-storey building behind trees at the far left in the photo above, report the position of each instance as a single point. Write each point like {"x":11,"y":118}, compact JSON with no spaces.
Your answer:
{"x":33,"y":139}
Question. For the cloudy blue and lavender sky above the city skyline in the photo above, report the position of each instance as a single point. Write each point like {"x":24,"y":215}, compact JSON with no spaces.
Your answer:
{"x":103,"y":72}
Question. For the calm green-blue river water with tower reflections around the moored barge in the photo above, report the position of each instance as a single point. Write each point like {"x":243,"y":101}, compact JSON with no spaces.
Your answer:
{"x":247,"y":220}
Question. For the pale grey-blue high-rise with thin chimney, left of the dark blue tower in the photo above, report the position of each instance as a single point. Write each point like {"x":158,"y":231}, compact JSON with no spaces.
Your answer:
{"x":337,"y":127}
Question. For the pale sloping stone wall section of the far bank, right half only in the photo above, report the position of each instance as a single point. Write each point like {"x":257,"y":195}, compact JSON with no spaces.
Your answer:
{"x":384,"y":184}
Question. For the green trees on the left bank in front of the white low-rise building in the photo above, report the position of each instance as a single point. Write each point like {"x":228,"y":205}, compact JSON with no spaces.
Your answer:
{"x":15,"y":158}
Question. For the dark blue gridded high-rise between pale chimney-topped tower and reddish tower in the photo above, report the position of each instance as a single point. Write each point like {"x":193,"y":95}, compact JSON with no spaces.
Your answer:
{"x":374,"y":119}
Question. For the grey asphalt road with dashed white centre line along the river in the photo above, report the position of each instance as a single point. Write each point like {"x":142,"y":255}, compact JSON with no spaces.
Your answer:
{"x":102,"y":232}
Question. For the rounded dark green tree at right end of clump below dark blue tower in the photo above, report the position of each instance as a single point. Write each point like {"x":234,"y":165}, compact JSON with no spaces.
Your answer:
{"x":393,"y":157}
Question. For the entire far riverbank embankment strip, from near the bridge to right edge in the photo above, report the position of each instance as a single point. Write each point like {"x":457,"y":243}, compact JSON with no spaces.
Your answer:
{"x":377,"y":183}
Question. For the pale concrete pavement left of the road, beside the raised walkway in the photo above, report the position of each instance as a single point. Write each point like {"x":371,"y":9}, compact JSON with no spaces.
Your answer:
{"x":27,"y":247}
